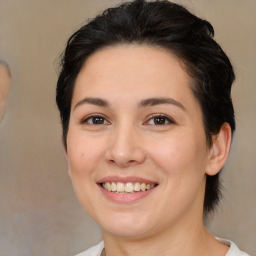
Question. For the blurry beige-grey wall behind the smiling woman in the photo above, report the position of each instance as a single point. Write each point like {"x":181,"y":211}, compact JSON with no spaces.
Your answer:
{"x":39,"y":214}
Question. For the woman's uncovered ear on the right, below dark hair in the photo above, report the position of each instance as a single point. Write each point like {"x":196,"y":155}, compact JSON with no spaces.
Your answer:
{"x":219,"y":150}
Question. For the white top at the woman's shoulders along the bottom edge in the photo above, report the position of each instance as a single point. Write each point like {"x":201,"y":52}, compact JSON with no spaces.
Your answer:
{"x":233,"y":250}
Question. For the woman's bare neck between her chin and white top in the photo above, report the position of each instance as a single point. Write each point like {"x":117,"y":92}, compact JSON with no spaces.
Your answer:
{"x":193,"y":240}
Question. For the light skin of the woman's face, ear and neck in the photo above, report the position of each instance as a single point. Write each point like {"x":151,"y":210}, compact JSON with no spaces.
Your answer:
{"x":135,"y":122}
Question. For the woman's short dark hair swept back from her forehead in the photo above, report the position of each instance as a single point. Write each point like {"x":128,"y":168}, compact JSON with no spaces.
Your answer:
{"x":172,"y":27}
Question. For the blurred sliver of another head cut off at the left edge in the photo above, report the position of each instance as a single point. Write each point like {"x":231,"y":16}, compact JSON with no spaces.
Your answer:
{"x":5,"y":81}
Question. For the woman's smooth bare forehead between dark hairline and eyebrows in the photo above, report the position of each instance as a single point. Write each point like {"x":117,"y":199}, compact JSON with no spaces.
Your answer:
{"x":132,"y":69}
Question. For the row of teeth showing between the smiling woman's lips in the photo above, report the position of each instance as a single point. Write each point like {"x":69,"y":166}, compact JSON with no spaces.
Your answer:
{"x":126,"y":188}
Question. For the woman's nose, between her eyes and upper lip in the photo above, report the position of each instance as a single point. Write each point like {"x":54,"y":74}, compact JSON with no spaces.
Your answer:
{"x":125,"y":147}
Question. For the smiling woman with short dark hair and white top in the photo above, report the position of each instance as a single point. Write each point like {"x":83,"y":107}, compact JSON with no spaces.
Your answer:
{"x":144,"y":99}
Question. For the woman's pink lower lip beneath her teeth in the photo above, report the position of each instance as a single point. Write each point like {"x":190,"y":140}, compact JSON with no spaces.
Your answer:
{"x":125,"y":198}
